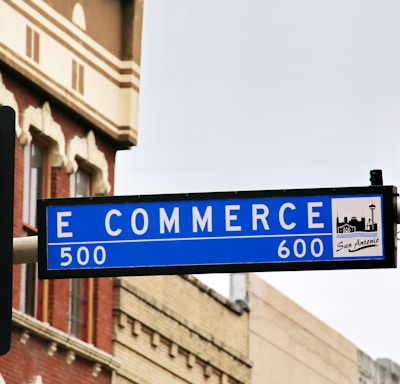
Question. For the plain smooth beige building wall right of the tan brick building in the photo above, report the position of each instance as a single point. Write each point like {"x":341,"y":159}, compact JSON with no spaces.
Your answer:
{"x":289,"y":345}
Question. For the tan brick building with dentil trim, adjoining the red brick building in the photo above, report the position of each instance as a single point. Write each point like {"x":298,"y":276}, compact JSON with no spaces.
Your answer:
{"x":175,"y":329}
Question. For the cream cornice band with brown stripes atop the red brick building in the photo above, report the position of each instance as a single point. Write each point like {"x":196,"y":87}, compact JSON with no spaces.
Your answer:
{"x":109,"y":98}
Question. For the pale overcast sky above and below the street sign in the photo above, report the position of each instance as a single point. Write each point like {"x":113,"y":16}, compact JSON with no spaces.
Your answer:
{"x":262,"y":94}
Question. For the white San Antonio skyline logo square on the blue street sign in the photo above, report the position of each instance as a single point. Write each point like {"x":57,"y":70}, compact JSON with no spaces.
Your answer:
{"x":358,"y":227}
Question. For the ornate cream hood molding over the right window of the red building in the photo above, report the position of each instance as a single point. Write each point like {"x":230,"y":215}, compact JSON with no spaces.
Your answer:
{"x":85,"y":149}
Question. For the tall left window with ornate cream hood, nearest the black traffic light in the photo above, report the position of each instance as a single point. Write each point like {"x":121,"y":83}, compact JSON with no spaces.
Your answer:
{"x":44,"y":147}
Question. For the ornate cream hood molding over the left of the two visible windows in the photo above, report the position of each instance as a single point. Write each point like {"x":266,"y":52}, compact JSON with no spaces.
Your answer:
{"x":42,"y":120}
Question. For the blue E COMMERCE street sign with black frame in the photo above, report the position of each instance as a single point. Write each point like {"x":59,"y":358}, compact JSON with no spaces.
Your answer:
{"x":218,"y":232}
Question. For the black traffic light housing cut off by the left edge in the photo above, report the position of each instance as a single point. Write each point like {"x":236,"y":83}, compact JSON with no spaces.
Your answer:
{"x":7,"y":158}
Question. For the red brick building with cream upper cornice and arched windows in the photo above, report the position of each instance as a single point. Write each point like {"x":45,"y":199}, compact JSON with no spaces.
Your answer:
{"x":75,"y":91}
